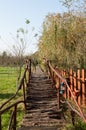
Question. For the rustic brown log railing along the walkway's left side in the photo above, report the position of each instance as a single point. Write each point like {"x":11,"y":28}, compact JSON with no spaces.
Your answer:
{"x":14,"y":106}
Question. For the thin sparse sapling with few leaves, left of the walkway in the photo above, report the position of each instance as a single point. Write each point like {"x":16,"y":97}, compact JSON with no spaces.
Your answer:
{"x":20,"y":46}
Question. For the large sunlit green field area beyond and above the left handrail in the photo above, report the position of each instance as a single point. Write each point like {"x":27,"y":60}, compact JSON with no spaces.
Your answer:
{"x":7,"y":83}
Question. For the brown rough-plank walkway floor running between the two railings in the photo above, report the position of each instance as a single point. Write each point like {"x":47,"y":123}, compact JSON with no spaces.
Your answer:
{"x":41,"y":103}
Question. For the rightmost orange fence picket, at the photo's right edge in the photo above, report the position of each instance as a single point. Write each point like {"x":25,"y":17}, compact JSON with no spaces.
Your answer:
{"x":83,"y":87}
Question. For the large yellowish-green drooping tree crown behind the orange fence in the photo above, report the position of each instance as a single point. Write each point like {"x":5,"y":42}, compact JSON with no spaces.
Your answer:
{"x":63,"y":40}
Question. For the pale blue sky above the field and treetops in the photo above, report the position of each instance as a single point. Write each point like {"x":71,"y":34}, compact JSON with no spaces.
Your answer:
{"x":13,"y":14}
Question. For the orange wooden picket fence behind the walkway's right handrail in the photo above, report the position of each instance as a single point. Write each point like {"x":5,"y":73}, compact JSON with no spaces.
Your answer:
{"x":77,"y":82}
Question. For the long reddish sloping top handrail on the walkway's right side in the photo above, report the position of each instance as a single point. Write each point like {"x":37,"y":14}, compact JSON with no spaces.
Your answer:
{"x":64,"y":80}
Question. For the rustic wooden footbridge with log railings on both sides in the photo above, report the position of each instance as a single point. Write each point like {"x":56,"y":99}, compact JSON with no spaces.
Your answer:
{"x":44,"y":100}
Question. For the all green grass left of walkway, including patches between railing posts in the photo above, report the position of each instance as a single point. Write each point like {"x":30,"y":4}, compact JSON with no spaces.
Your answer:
{"x":8,"y":86}
